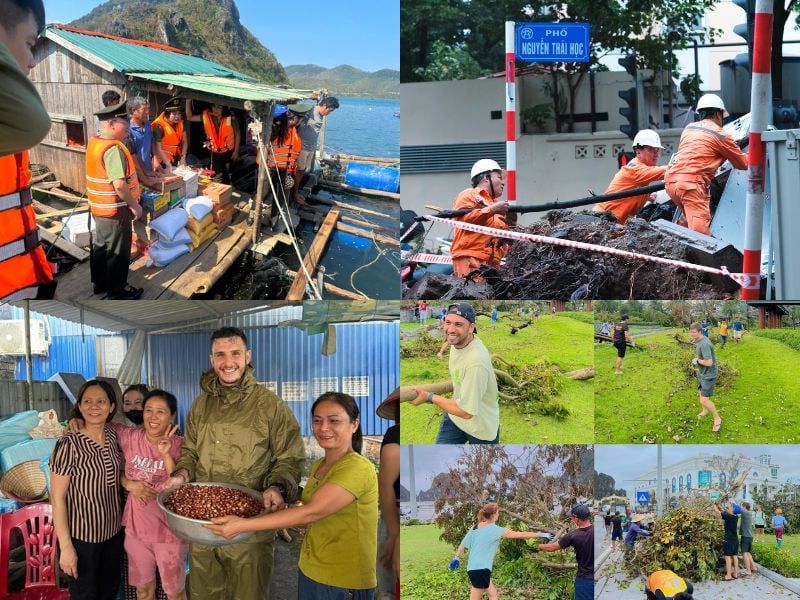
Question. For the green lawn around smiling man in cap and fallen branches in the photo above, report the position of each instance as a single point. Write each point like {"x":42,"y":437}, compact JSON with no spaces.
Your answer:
{"x":562,"y":340}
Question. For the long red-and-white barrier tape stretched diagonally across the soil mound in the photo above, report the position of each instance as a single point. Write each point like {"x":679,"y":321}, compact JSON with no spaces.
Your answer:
{"x":740,"y":278}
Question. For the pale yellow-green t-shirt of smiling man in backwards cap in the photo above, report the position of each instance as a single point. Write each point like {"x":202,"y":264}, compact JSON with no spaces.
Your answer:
{"x":475,"y":390}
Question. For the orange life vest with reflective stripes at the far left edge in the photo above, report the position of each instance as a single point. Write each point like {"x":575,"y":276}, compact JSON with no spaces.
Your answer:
{"x":23,"y":263}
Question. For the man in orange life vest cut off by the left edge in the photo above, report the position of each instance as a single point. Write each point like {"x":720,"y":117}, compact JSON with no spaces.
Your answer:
{"x":24,"y":270}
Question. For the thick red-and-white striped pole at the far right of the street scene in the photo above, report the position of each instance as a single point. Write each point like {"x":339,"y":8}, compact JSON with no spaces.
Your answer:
{"x":760,"y":107}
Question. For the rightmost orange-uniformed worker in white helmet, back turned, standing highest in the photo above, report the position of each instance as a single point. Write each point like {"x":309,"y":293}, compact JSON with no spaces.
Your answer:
{"x":704,"y":146}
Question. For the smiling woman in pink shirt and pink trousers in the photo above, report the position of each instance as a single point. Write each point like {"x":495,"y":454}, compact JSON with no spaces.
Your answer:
{"x":150,"y":453}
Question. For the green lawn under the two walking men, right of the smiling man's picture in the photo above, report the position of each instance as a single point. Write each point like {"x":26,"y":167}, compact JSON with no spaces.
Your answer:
{"x":656,"y":397}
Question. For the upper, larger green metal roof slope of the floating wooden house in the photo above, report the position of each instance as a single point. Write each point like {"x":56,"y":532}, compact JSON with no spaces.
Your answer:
{"x":126,"y":58}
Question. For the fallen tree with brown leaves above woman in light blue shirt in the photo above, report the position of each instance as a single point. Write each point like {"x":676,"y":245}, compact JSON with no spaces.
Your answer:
{"x":535,"y":487}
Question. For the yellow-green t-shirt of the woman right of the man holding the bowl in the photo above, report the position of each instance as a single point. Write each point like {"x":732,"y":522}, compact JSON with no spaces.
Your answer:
{"x":340,"y":549}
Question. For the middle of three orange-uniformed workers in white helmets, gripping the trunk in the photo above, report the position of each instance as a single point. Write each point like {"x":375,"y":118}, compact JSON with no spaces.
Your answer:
{"x":641,"y":171}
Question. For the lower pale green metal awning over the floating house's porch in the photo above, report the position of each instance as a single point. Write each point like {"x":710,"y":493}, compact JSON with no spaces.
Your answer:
{"x":226,"y":87}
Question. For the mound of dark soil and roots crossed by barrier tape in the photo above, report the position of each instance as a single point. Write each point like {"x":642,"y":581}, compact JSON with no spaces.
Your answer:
{"x":546,"y":271}
